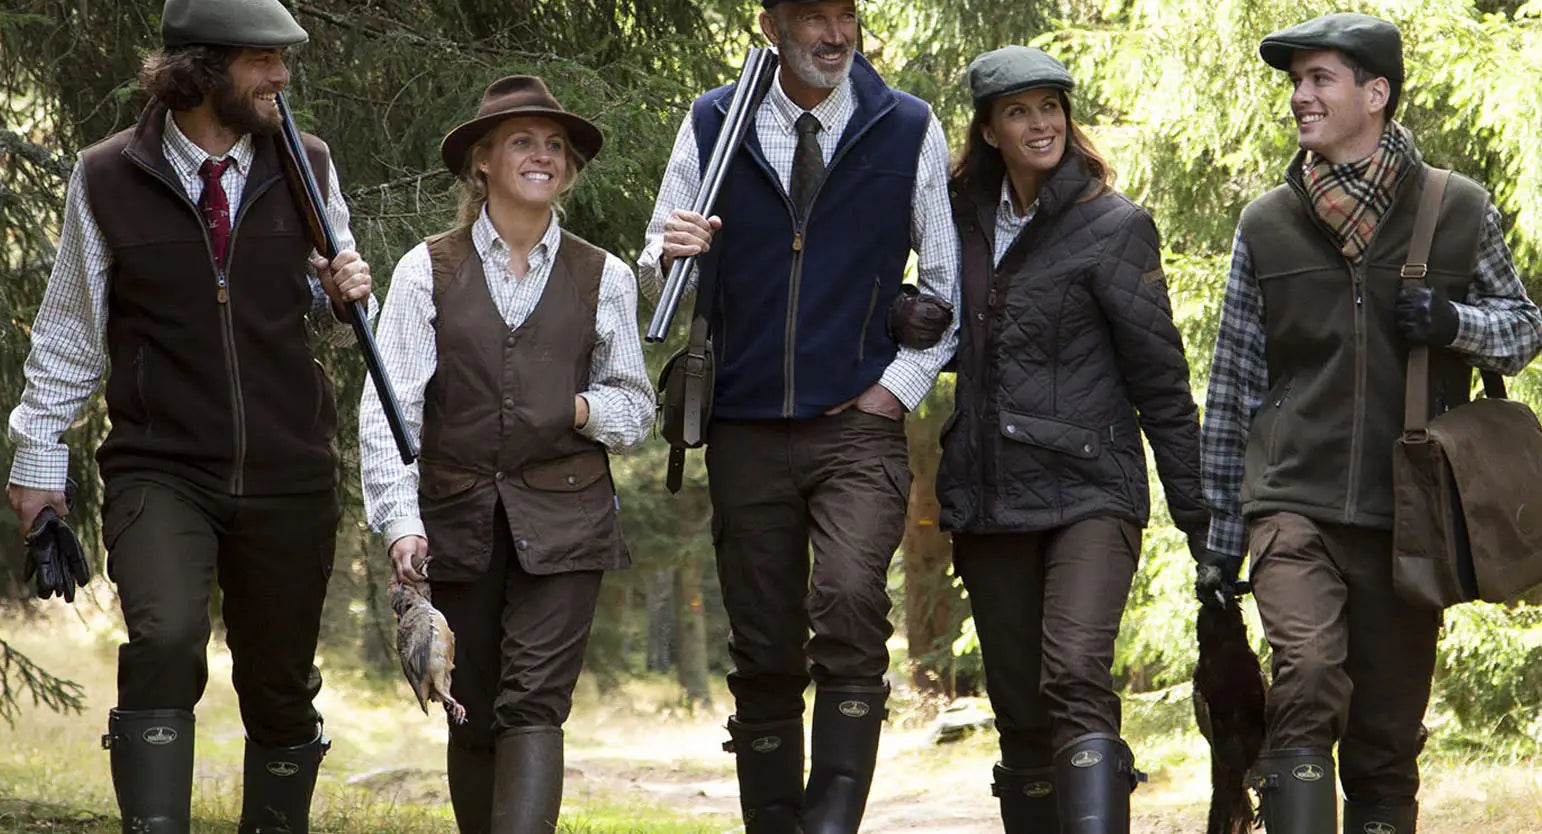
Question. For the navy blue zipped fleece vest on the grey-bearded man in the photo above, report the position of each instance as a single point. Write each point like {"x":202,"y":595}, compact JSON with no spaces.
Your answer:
{"x":800,"y":318}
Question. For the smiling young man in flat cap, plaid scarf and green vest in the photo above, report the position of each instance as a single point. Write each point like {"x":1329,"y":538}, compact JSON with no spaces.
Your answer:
{"x":1307,"y":402}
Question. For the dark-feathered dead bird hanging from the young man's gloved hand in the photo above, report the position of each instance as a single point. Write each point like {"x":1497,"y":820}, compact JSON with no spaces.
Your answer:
{"x":1228,"y":705}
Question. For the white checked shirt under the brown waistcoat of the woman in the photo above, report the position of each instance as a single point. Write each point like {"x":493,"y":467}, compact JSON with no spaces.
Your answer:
{"x":621,"y":397}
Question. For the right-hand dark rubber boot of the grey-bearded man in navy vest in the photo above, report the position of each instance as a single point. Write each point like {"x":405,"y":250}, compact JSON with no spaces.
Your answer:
{"x":847,"y":727}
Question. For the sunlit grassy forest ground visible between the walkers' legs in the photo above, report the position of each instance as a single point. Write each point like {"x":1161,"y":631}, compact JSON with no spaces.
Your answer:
{"x":638,"y":762}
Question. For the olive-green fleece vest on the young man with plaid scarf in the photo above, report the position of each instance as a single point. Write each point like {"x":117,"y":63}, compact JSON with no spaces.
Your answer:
{"x":1322,"y":442}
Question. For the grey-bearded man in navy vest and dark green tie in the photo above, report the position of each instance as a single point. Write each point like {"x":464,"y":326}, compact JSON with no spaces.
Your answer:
{"x":837,"y":184}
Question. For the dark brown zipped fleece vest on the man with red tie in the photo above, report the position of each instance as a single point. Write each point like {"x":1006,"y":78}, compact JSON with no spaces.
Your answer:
{"x":210,"y":383}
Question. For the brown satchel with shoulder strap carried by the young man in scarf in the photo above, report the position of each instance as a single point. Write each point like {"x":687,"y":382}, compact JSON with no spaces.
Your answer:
{"x":1469,"y":483}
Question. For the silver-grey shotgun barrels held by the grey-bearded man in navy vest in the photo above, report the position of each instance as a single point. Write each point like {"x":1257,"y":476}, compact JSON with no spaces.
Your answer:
{"x":755,"y":79}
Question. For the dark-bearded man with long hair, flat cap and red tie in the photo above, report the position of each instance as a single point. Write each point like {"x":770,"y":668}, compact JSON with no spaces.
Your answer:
{"x":183,"y":267}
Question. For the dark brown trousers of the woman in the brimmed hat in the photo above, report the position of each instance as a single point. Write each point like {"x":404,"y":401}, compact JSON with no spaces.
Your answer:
{"x":519,"y":642}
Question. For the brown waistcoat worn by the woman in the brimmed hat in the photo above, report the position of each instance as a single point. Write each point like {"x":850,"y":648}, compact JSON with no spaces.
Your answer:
{"x":499,"y":415}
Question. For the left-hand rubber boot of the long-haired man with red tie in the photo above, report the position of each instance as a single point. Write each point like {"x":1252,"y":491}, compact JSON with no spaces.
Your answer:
{"x":152,"y":753}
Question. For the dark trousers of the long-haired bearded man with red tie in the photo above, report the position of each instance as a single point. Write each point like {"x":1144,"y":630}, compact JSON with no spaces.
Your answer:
{"x":169,"y":542}
